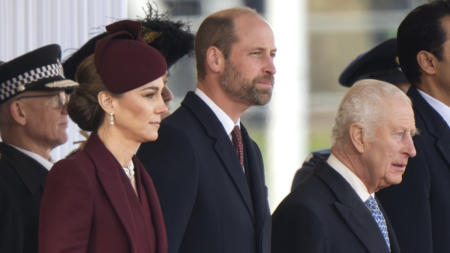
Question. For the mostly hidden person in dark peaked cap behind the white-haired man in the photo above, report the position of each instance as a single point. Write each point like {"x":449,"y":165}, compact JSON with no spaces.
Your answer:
{"x":379,"y":63}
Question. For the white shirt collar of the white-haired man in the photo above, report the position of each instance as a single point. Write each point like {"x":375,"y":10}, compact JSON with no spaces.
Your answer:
{"x":350,"y":177}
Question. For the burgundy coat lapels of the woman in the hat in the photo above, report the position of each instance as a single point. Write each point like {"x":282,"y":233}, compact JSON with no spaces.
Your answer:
{"x":108,"y":169}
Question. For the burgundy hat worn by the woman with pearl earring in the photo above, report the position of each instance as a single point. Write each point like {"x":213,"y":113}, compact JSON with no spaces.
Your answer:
{"x":124,"y":61}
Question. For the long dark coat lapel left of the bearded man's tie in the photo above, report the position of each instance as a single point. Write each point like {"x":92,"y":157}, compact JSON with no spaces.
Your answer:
{"x":223,"y":146}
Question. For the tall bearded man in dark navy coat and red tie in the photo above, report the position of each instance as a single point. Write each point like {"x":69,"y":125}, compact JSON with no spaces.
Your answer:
{"x":207,"y":171}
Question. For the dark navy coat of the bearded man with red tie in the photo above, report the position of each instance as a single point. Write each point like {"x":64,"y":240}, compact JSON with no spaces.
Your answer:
{"x":209,"y":204}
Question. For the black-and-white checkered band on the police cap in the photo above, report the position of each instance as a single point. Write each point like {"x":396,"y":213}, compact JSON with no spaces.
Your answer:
{"x":9,"y":88}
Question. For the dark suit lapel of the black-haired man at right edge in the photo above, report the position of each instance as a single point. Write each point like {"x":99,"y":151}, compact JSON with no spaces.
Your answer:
{"x":433,"y":121}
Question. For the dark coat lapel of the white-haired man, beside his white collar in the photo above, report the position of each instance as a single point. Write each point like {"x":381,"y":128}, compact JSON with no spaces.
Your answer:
{"x":352,"y":210}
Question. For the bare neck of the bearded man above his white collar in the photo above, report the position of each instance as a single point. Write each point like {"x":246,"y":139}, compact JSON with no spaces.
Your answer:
{"x":231,"y":106}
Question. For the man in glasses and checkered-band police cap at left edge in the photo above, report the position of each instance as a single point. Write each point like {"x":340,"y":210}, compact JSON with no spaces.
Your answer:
{"x":33,"y":121}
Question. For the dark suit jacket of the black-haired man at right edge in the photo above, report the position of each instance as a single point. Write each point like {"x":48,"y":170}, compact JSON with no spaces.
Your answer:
{"x":419,"y":207}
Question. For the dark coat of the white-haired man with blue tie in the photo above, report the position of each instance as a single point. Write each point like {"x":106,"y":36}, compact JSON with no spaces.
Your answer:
{"x":324,"y":214}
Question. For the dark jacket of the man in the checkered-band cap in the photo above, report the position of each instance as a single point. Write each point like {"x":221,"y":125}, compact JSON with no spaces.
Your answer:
{"x":22,"y":182}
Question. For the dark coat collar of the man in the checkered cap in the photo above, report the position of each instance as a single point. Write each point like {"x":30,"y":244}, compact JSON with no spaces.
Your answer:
{"x":32,"y":173}
